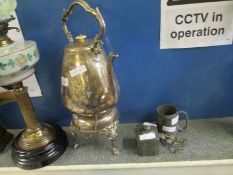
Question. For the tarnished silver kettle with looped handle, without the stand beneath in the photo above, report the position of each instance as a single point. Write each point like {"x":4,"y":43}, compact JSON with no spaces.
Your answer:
{"x":89,"y":85}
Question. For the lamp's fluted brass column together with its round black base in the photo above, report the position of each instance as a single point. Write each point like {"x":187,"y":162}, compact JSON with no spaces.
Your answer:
{"x":40,"y":143}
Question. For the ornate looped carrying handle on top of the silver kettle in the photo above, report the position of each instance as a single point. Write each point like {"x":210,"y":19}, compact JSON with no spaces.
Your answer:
{"x":94,"y":12}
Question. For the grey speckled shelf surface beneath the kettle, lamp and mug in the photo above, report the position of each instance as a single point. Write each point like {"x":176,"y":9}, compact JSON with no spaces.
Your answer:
{"x":210,"y":139}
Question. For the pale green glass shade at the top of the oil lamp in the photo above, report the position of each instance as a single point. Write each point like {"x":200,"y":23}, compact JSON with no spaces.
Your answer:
{"x":6,"y":8}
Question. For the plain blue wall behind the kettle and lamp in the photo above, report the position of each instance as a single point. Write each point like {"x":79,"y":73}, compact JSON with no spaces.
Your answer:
{"x":197,"y":80}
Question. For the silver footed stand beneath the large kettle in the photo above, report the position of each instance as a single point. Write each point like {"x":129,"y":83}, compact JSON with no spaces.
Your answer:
{"x":104,"y":124}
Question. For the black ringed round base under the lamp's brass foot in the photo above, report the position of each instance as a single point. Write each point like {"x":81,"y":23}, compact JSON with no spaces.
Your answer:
{"x":40,"y":157}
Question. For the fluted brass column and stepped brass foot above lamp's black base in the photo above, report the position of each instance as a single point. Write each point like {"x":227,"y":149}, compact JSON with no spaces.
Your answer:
{"x":37,"y":134}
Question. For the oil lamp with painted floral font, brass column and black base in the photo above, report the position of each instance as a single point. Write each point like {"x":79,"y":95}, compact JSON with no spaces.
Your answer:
{"x":40,"y":143}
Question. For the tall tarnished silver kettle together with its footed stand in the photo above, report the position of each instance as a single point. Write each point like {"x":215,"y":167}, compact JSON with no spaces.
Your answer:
{"x":89,"y":86}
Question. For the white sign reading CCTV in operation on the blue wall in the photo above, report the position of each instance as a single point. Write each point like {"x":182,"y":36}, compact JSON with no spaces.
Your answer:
{"x":196,"y":23}
